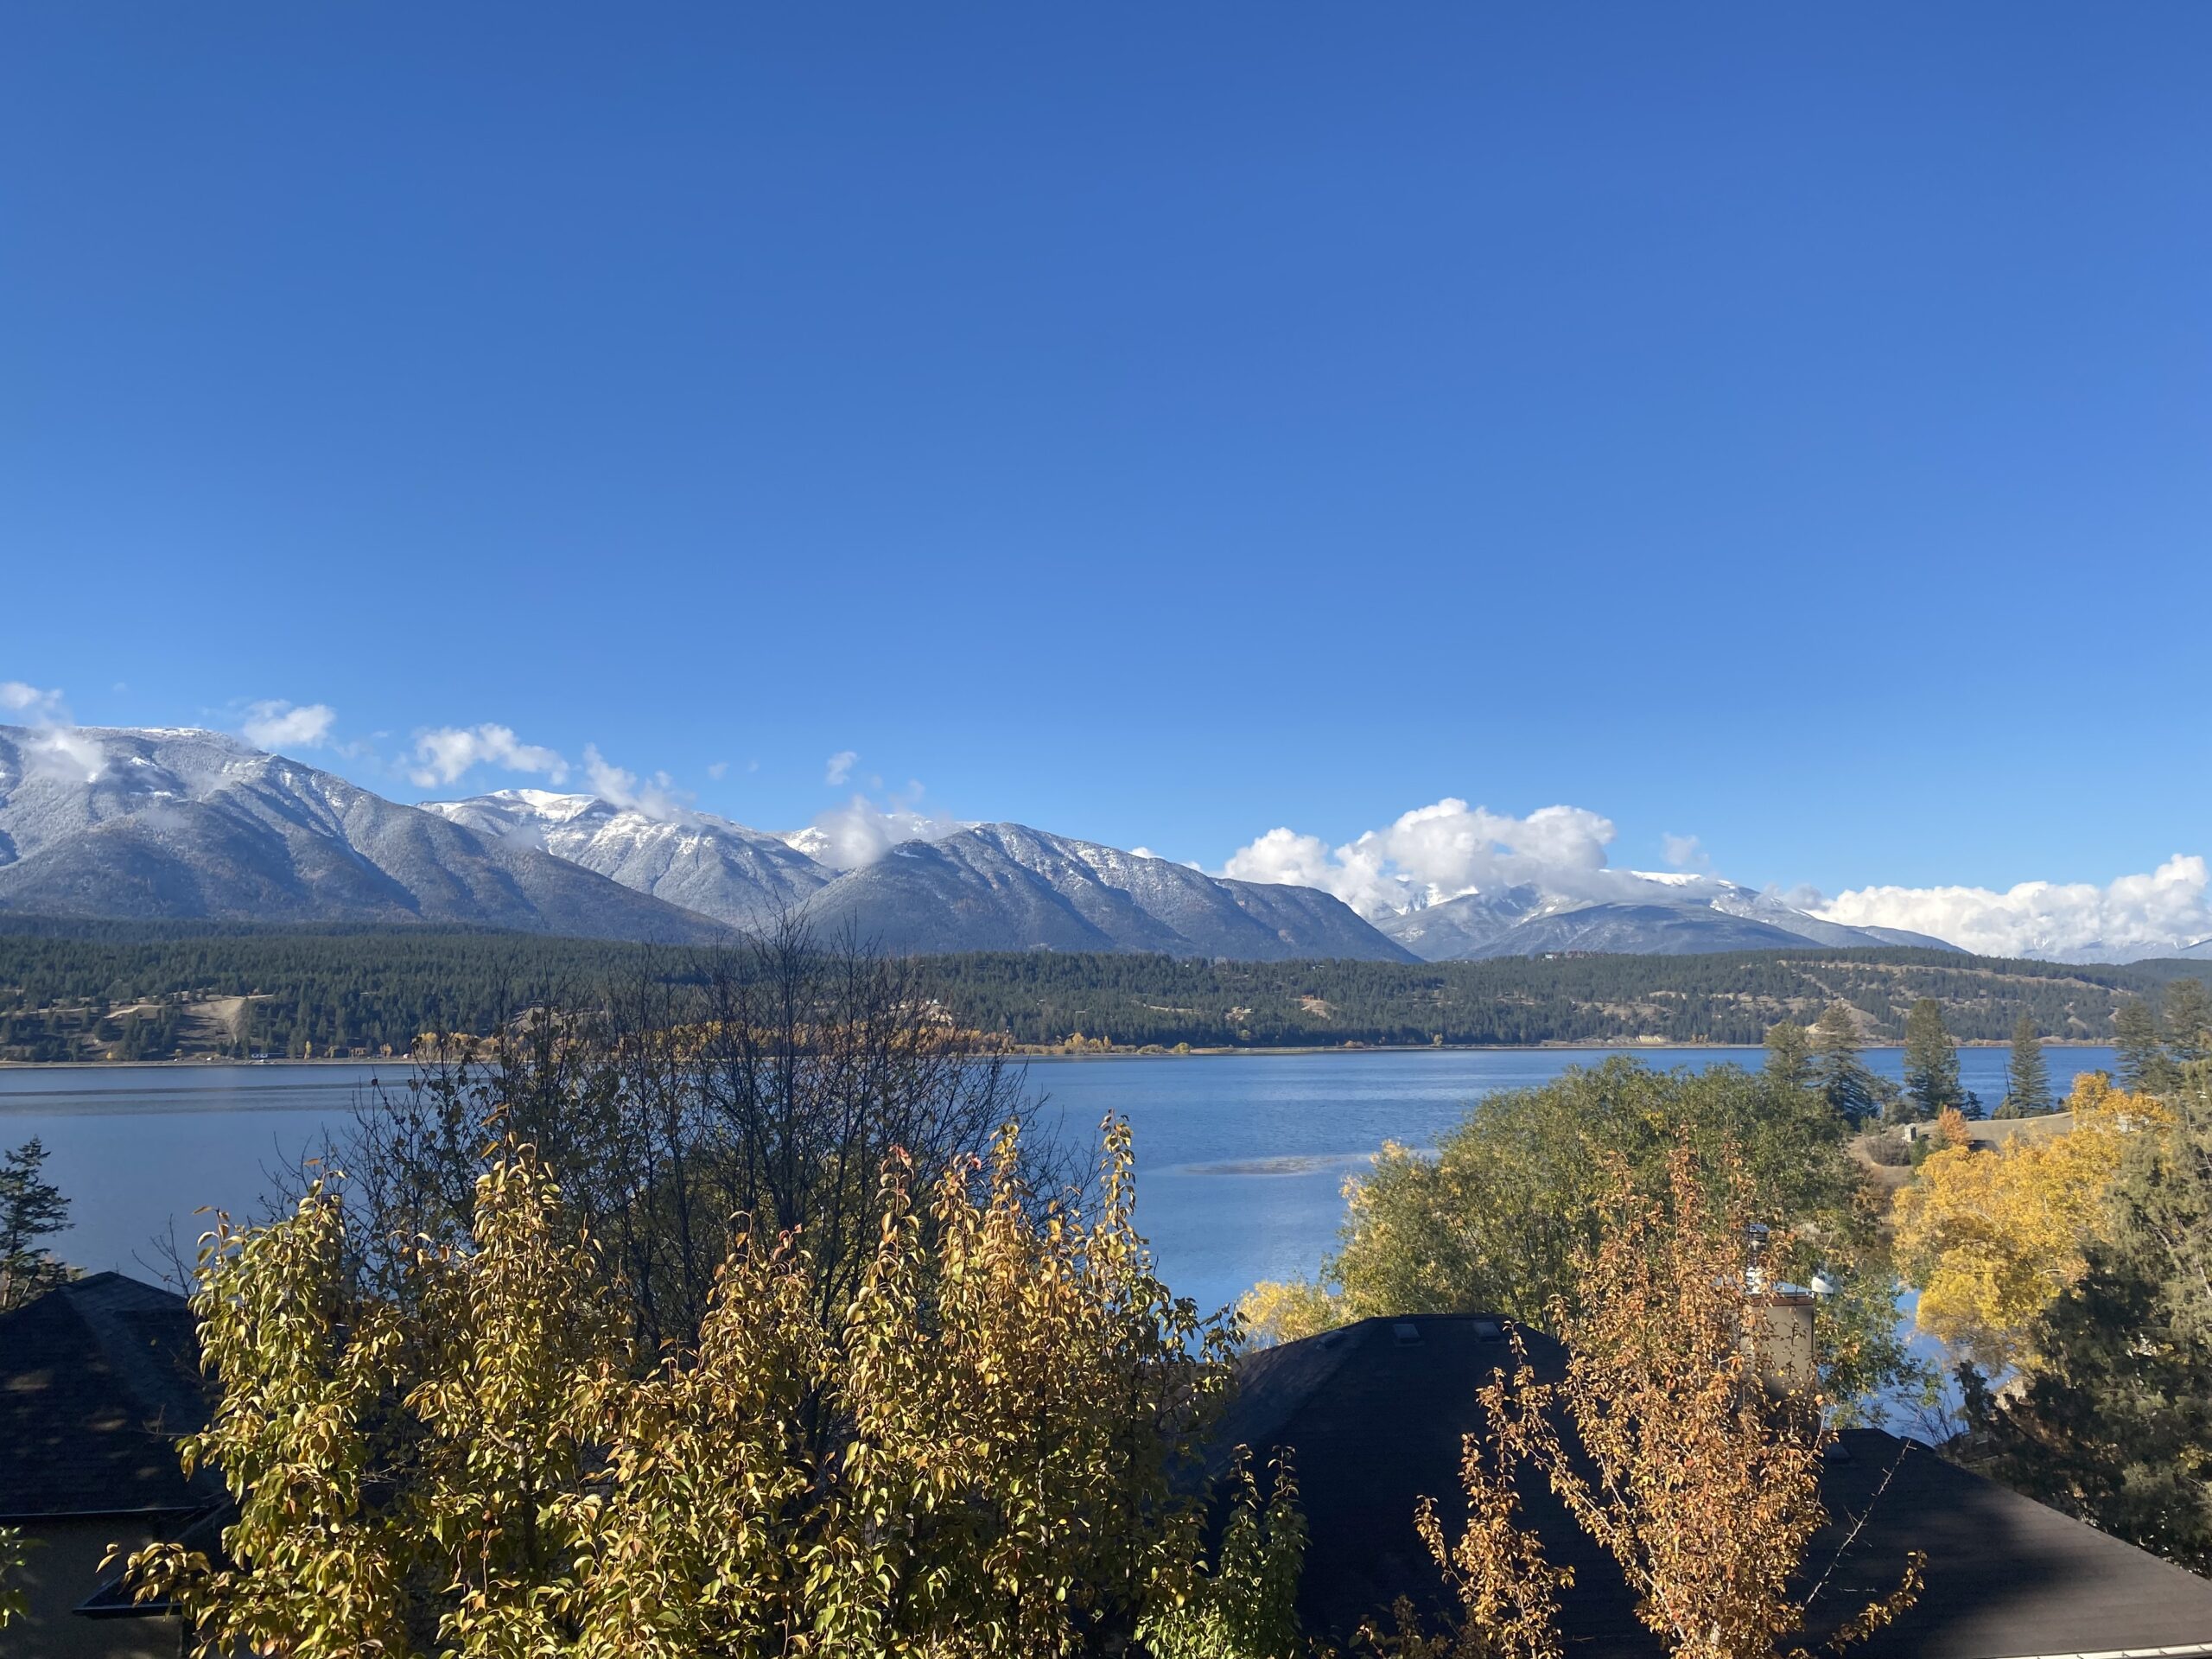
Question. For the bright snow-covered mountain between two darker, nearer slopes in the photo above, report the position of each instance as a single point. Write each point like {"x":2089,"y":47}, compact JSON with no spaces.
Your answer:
{"x":698,"y":862}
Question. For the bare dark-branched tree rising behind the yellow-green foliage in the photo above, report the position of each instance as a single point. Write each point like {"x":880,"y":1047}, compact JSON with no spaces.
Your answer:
{"x":769,"y":1081}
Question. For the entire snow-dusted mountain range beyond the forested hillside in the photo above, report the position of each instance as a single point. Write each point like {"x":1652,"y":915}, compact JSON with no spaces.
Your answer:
{"x":187,"y":824}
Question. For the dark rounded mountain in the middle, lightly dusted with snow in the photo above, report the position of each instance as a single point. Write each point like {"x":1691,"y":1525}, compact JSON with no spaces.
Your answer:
{"x":1008,"y":888}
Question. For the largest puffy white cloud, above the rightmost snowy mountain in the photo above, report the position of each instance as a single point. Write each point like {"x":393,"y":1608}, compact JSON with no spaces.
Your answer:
{"x":1439,"y":853}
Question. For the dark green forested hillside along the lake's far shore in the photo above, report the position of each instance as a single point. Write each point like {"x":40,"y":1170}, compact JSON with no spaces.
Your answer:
{"x":156,"y":992}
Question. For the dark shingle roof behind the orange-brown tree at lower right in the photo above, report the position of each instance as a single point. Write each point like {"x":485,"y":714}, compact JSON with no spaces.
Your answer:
{"x":1375,"y":1417}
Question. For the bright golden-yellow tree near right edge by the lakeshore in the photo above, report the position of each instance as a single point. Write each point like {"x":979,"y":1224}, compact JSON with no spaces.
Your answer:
{"x":1992,"y":1238}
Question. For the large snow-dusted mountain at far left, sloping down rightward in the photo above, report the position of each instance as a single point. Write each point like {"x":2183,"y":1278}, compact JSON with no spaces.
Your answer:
{"x":116,"y":822}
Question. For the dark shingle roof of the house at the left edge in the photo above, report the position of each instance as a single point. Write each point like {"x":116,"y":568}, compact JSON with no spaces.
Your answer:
{"x":96,"y":1384}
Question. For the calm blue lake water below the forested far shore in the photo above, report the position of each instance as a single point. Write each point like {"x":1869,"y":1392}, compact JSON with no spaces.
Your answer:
{"x":1240,"y":1158}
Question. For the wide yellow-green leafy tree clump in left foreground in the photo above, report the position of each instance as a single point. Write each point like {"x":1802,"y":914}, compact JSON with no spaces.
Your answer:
{"x":990,"y":1450}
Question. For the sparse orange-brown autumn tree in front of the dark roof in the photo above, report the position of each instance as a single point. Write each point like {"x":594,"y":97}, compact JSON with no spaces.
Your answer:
{"x":1662,"y":1441}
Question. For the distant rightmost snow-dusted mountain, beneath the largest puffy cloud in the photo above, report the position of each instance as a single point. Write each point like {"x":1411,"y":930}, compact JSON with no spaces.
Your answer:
{"x":1653,"y":915}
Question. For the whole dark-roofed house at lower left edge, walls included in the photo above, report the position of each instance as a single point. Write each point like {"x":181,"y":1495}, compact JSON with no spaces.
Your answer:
{"x":96,"y":1384}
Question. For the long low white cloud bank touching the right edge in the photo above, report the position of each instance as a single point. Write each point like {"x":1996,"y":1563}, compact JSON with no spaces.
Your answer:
{"x":2069,"y":921}
